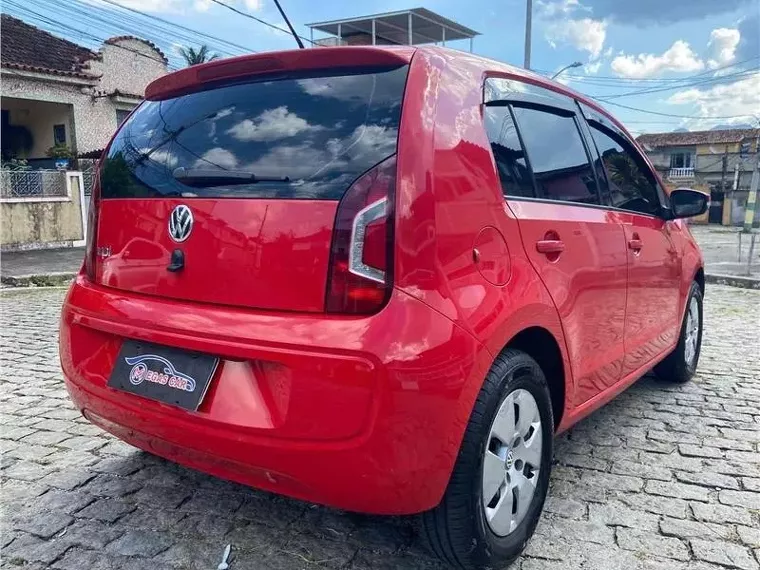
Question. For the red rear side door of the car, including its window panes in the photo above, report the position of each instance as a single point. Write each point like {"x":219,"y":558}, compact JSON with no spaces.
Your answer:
{"x":575,"y":245}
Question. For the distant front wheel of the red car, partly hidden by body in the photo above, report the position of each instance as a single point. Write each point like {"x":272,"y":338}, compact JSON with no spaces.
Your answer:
{"x":681,"y":364}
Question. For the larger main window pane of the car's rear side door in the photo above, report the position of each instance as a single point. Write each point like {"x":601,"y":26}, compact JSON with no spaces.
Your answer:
{"x":557,"y":155}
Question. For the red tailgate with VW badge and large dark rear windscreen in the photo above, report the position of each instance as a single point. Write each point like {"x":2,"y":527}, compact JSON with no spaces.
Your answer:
{"x":240,"y":182}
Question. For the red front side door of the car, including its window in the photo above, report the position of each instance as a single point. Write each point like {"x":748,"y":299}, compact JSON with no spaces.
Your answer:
{"x":654,"y":268}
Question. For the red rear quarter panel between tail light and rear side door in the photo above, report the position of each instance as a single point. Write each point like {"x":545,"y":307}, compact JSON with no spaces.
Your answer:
{"x":448,"y":192}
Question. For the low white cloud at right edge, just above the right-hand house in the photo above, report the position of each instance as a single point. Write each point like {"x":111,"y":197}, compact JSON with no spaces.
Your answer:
{"x":740,"y":99}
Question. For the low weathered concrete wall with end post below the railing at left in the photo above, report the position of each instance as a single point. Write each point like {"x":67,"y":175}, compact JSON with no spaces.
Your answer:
{"x":34,"y":223}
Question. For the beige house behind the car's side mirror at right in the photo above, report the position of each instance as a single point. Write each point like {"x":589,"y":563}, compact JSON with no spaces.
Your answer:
{"x":720,"y":161}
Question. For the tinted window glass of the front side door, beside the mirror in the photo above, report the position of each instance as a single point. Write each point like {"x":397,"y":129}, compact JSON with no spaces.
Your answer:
{"x":631,"y":184}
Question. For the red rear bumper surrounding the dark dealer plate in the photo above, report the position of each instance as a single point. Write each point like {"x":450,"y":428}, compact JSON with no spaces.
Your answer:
{"x":364,"y":414}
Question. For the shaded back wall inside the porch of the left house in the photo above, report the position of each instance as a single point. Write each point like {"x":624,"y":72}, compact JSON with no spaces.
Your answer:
{"x":39,"y":117}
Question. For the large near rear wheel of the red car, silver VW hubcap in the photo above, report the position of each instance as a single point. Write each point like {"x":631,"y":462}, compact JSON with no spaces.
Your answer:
{"x":467,"y":529}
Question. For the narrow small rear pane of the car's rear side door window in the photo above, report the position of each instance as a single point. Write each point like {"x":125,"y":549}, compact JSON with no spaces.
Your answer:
{"x":508,"y":152}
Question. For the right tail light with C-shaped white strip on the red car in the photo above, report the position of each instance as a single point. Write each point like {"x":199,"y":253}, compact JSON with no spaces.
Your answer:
{"x":361,"y":257}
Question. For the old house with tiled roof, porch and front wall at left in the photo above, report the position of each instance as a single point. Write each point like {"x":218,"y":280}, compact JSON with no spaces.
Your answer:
{"x":60,"y":101}
